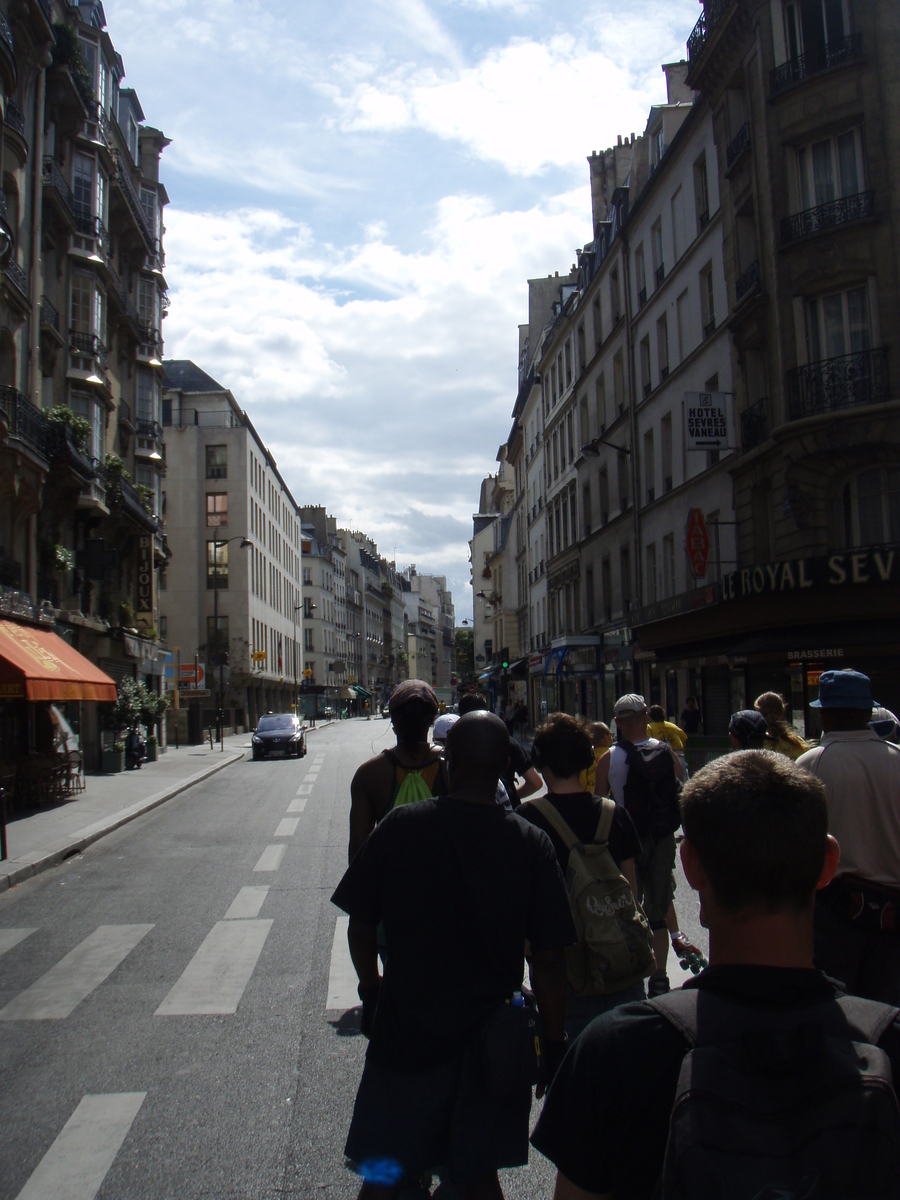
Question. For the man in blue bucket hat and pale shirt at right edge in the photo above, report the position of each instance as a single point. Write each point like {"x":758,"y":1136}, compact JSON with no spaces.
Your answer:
{"x":859,"y":914}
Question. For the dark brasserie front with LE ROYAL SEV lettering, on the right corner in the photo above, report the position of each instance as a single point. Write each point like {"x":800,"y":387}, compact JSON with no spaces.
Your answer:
{"x":776,"y":628}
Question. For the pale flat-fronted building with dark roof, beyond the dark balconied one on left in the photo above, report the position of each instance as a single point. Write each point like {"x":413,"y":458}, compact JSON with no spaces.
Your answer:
{"x":233,"y":592}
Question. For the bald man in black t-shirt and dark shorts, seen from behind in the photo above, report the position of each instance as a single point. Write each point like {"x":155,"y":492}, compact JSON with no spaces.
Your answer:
{"x":460,"y":883}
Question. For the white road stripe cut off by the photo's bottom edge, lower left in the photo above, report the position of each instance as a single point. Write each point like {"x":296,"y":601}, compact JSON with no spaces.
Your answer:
{"x":79,"y":1161}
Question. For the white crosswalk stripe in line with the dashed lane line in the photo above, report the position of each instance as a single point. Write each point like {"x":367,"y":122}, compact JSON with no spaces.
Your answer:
{"x":215,"y":979}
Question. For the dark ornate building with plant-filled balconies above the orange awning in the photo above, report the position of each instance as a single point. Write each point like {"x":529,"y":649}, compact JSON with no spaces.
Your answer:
{"x":82,"y":301}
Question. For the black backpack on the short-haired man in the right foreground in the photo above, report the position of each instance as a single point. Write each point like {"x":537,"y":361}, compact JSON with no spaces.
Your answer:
{"x":782,"y":1105}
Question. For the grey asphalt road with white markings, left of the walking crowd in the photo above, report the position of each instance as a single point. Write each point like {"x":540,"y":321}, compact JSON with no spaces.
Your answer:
{"x":176,"y":1004}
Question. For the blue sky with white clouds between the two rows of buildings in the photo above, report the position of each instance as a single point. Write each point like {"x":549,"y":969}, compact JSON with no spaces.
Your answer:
{"x":358,"y":196}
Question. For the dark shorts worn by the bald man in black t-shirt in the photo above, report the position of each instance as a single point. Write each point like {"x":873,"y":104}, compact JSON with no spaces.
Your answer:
{"x":440,"y":1120}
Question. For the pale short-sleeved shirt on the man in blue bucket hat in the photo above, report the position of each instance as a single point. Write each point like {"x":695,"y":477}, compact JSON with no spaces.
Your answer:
{"x":862,"y":779}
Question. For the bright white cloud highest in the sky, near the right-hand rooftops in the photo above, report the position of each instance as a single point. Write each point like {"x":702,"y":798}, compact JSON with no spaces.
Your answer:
{"x":526,"y":106}
